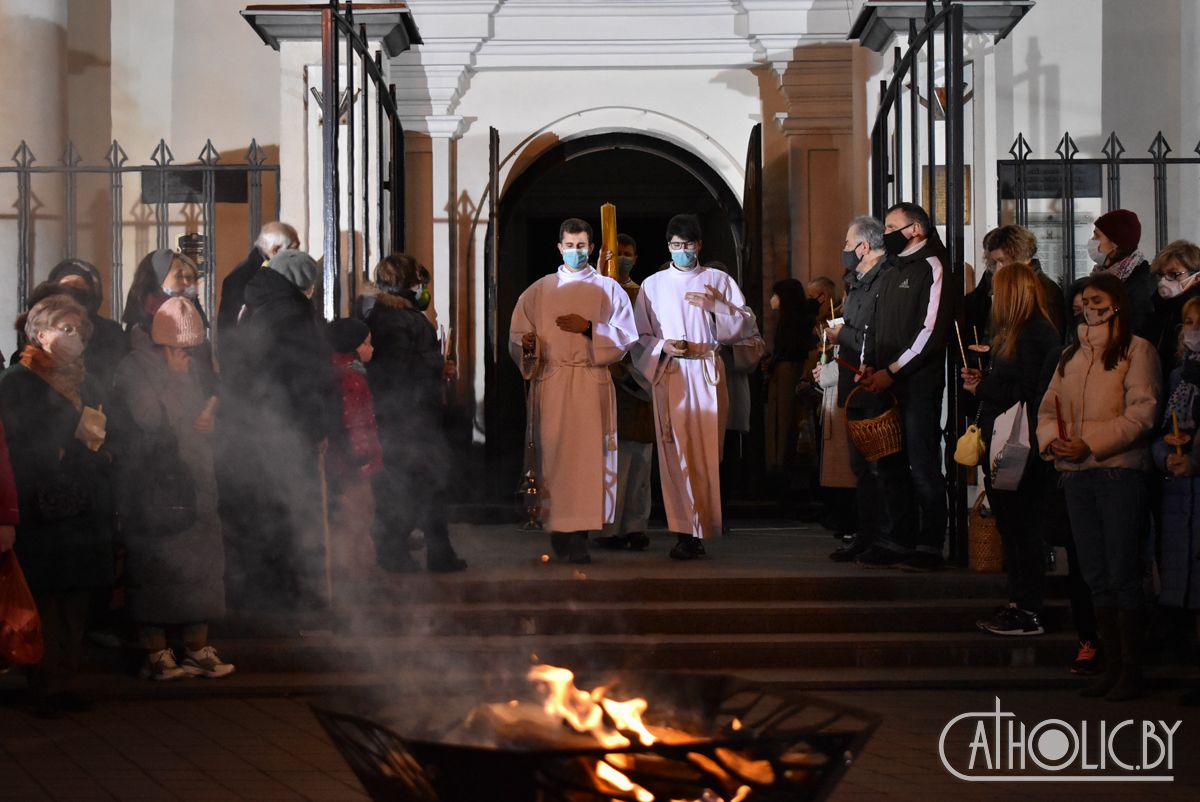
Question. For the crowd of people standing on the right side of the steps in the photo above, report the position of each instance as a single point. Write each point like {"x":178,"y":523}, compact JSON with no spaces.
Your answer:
{"x":1101,"y":382}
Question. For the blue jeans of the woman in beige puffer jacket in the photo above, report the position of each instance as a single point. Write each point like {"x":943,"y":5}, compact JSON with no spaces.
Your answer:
{"x":1109,"y":517}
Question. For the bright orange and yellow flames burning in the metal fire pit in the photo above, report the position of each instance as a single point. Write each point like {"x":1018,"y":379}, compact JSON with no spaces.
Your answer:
{"x":609,"y":721}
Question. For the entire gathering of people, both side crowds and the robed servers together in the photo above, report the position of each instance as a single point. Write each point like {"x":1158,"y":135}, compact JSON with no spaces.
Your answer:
{"x":197,"y":471}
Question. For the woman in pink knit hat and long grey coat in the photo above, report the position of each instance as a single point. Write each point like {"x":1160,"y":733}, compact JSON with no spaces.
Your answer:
{"x":167,"y":498}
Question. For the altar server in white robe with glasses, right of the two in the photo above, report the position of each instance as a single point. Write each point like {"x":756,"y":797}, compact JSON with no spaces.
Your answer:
{"x":685,"y":313}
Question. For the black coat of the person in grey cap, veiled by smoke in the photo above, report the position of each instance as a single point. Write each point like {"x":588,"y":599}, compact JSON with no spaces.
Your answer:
{"x":284,"y":369}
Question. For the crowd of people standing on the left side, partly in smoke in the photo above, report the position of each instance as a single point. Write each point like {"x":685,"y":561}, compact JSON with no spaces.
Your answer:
{"x":191,"y":472}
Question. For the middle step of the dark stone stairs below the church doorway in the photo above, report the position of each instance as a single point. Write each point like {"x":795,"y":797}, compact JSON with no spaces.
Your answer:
{"x":643,"y":619}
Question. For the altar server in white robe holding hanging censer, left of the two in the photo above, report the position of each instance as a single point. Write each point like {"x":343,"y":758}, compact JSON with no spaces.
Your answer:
{"x":567,"y":330}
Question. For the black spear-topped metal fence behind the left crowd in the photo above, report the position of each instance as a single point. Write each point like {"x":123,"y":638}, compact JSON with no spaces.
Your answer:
{"x":163,"y":184}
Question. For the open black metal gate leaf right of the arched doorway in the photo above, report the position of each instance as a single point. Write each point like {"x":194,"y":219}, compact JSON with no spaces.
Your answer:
{"x":945,"y":188}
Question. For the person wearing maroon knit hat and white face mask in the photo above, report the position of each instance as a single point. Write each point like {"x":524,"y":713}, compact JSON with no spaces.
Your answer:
{"x":1114,"y":249}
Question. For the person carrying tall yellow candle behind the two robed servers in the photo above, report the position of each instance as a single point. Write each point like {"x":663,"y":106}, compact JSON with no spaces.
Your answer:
{"x":635,"y":433}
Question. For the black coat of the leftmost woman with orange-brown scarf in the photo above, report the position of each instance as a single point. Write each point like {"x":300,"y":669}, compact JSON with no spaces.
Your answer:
{"x":58,"y":553}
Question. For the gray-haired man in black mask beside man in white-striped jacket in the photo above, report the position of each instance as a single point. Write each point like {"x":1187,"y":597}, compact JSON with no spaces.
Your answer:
{"x":865,"y":261}
